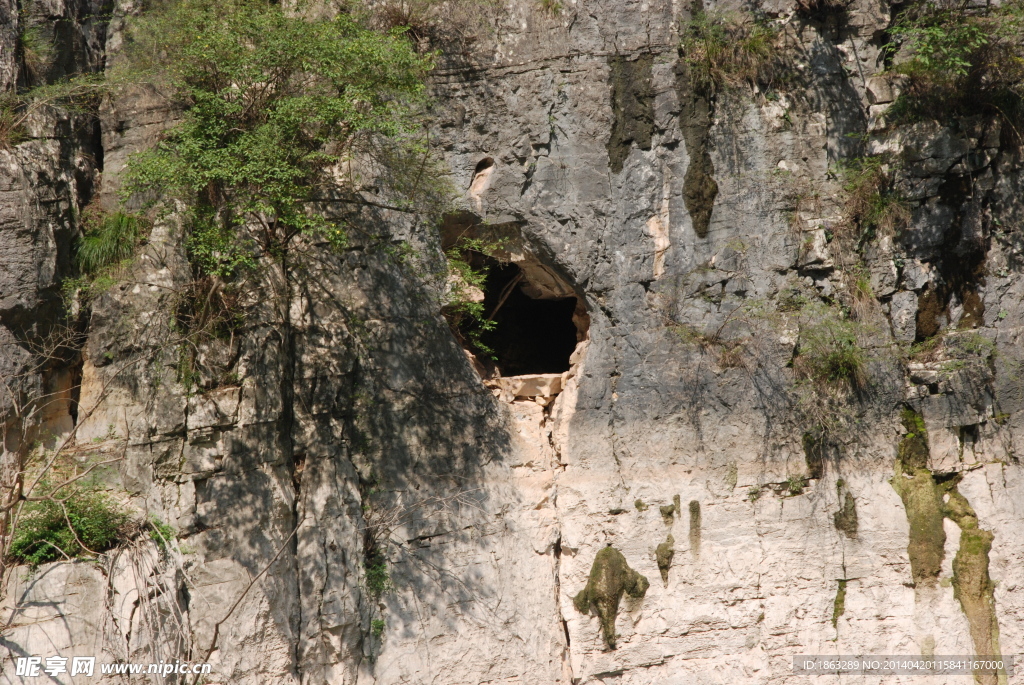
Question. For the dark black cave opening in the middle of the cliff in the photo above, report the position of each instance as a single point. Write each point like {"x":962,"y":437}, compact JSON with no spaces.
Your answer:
{"x":535,"y":331}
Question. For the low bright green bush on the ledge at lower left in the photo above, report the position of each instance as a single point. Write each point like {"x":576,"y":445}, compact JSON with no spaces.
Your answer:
{"x":89,"y":524}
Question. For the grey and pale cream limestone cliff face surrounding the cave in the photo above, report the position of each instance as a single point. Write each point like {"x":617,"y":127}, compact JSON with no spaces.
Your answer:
{"x":679,"y":438}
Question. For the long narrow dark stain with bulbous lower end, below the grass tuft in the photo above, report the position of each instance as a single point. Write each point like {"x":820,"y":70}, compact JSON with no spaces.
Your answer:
{"x":700,"y":189}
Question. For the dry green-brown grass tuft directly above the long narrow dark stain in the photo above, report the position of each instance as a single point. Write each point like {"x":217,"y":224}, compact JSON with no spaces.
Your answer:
{"x":728,"y":52}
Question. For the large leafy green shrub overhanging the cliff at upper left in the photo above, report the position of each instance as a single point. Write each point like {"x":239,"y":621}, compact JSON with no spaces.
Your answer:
{"x":282,"y":113}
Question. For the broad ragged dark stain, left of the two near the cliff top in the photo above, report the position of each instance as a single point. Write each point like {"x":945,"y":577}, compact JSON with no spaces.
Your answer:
{"x":632,"y":107}
